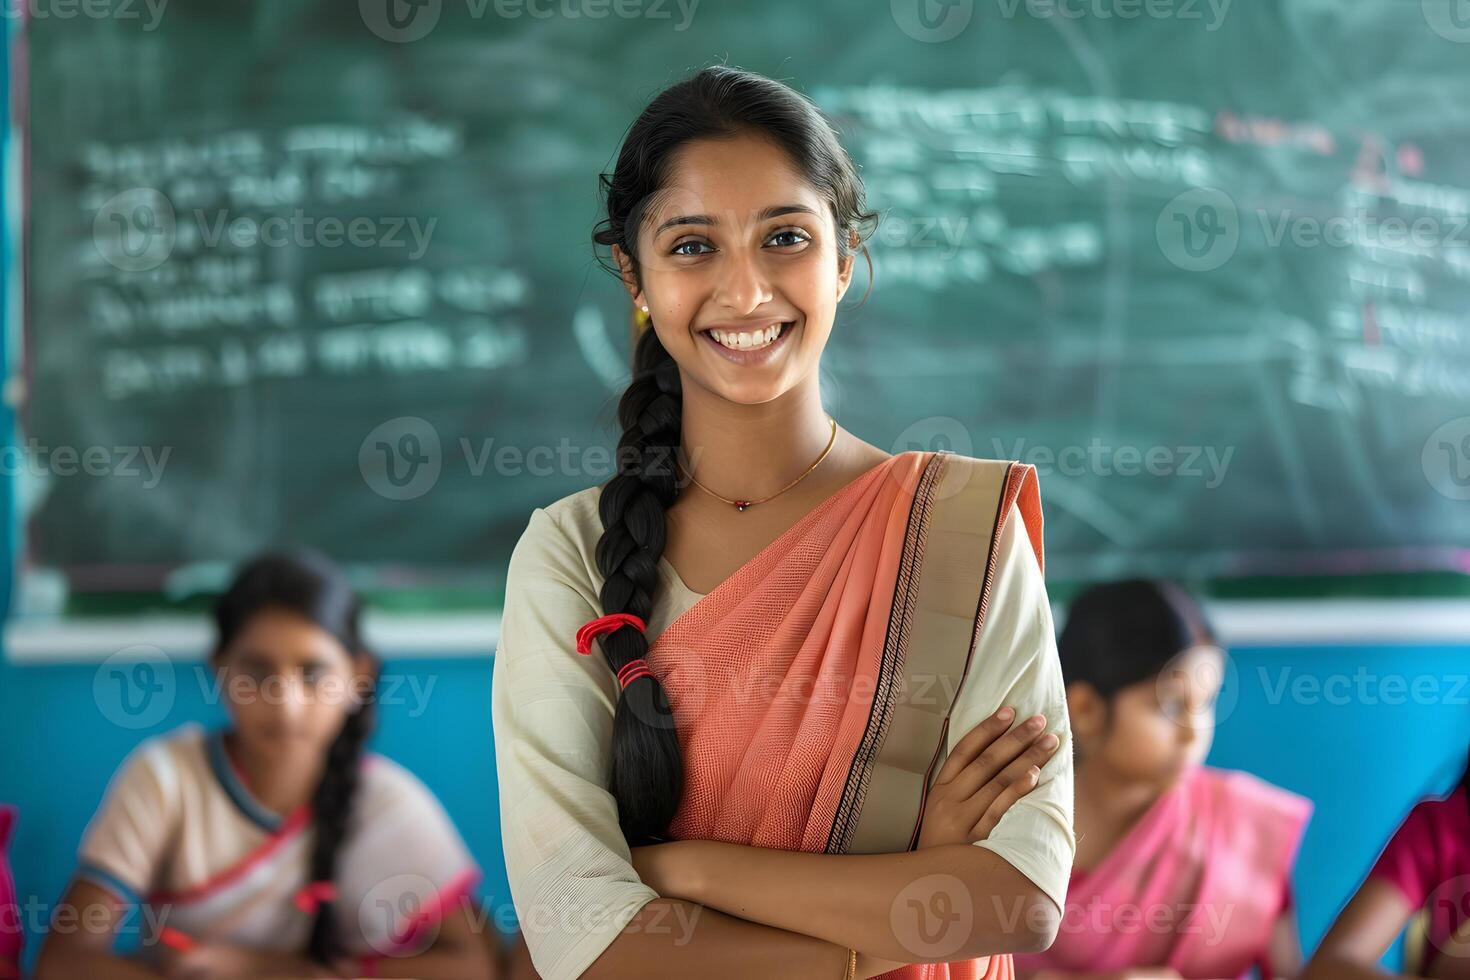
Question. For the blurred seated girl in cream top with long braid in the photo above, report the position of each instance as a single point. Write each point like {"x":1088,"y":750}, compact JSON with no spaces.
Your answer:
{"x":276,"y":846}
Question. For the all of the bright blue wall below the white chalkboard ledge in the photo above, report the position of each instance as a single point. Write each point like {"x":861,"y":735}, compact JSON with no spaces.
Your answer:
{"x":1362,"y":759}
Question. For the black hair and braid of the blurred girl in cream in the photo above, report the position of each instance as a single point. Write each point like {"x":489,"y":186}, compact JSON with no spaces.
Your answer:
{"x":312,"y":587}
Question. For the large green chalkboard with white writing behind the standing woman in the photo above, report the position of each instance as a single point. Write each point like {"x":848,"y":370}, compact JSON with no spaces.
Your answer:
{"x":306,"y":273}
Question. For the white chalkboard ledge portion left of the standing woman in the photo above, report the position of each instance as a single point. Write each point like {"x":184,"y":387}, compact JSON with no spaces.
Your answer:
{"x":187,"y":638}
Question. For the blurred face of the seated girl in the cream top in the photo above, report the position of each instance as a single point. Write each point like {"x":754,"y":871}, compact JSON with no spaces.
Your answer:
{"x":289,"y":684}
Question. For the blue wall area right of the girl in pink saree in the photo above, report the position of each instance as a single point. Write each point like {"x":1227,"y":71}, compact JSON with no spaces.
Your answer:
{"x":1355,"y":743}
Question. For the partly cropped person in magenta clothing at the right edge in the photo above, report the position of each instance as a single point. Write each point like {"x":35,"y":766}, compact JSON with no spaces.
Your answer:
{"x":1422,"y":881}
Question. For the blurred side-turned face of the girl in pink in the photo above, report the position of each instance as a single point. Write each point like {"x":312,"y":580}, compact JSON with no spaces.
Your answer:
{"x":1153,"y":729}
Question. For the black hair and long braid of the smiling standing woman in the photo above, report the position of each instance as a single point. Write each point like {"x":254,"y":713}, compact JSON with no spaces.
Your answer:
{"x":717,"y":104}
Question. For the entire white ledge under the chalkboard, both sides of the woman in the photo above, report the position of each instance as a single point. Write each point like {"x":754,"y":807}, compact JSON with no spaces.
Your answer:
{"x":424,"y":635}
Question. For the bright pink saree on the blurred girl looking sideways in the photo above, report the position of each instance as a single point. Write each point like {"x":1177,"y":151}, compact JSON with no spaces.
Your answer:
{"x":1197,"y":885}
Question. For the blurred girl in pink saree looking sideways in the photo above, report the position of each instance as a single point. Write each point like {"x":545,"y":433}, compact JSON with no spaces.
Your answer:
{"x":1183,"y":871}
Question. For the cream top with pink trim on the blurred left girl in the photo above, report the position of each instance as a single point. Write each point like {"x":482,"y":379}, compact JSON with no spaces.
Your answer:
{"x":180,"y":837}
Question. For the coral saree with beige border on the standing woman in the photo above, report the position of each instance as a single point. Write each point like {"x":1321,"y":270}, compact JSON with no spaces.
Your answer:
{"x":803,"y":685}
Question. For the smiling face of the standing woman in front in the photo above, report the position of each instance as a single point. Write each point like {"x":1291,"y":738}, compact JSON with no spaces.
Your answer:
{"x":739,"y":242}
